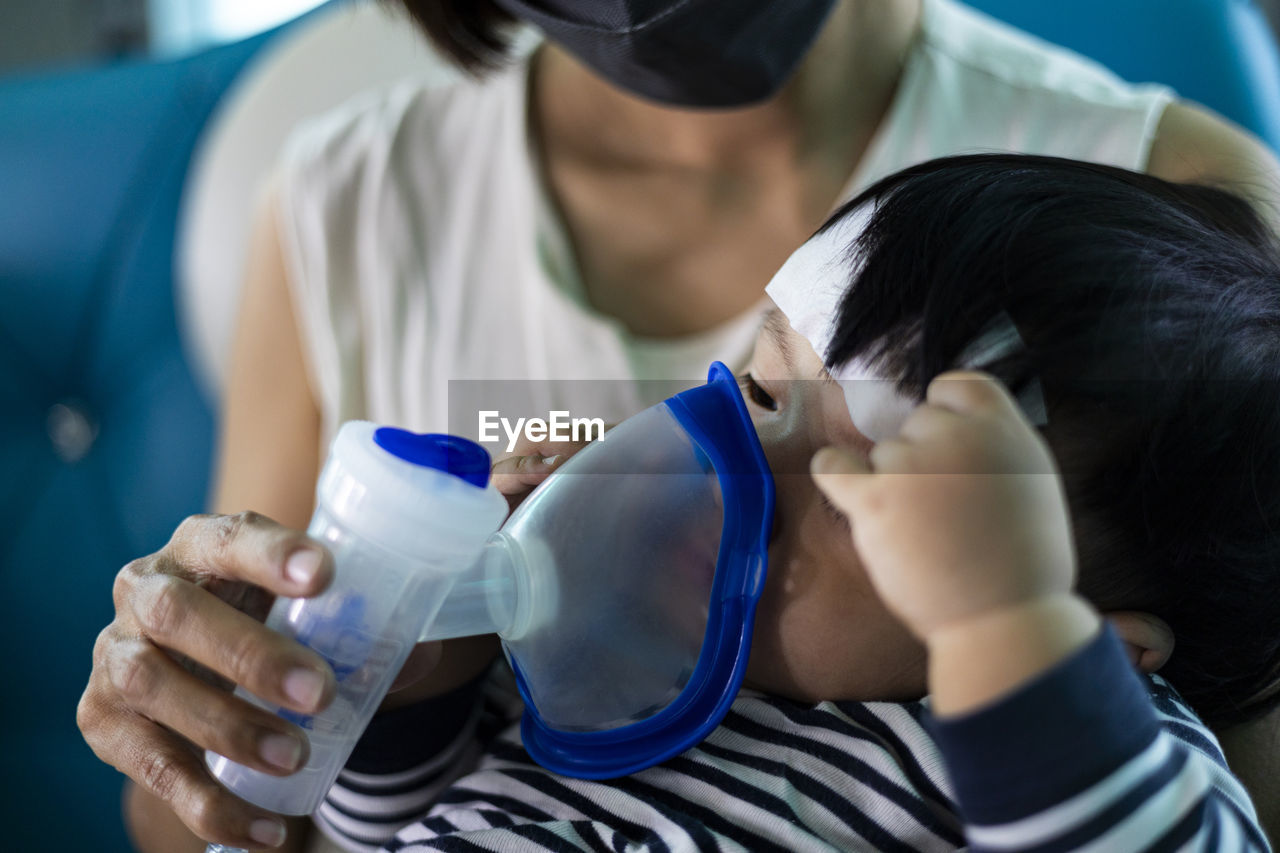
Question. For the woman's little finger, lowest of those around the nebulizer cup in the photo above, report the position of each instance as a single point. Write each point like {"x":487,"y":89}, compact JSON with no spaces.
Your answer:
{"x":166,"y":767}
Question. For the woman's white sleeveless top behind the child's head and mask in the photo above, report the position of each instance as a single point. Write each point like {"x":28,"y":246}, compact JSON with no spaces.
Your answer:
{"x":423,"y":249}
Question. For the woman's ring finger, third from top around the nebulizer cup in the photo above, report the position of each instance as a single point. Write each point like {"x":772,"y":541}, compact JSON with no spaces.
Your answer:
{"x":158,"y":688}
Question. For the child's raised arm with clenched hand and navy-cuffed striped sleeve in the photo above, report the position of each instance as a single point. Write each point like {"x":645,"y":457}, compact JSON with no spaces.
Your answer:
{"x":1049,"y":735}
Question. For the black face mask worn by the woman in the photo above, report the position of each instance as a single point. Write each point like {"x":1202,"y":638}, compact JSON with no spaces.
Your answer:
{"x":685,"y":53}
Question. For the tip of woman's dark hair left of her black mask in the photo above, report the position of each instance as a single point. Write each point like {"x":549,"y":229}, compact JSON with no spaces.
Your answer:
{"x":474,"y":34}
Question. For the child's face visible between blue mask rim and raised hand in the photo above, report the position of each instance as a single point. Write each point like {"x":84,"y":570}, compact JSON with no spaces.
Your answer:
{"x":821,"y":631}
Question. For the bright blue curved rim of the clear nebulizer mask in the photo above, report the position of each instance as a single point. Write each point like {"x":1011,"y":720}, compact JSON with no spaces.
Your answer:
{"x":716,"y":418}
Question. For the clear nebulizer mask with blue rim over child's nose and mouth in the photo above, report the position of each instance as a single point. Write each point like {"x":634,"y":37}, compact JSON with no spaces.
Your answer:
{"x":624,"y":589}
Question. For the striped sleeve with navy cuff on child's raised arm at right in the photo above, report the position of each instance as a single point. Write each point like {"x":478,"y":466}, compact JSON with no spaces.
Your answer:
{"x":1089,"y":758}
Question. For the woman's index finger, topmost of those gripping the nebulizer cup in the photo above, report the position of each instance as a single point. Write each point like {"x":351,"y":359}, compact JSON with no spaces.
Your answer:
{"x":250,"y":549}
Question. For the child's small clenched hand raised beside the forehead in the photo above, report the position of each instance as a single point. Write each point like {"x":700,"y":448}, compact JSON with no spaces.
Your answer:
{"x":962,"y":521}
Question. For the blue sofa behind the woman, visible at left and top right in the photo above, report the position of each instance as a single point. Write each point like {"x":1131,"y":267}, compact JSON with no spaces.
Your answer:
{"x":106,"y":440}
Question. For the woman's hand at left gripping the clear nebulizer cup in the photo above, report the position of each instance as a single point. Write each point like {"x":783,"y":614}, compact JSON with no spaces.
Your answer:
{"x":190,"y":615}
